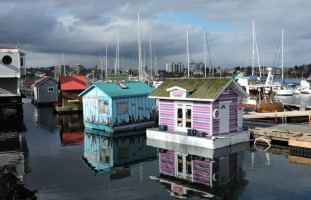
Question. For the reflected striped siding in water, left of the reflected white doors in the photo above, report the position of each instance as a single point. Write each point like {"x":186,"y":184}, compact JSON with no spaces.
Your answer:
{"x":167,"y":163}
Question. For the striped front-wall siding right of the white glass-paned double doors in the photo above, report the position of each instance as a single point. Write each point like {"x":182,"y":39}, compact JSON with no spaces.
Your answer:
{"x":202,"y":116}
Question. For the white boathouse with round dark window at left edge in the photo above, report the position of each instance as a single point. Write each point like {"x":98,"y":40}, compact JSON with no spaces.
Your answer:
{"x":12,"y":67}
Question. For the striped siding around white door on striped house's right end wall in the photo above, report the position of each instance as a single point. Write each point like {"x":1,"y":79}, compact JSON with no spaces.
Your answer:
{"x":227,"y":95}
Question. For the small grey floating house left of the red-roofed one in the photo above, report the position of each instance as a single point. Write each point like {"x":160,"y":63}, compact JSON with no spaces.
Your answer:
{"x":45,"y":91}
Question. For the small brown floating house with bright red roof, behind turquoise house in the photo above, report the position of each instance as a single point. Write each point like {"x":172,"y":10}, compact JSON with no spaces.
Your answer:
{"x":69,"y":89}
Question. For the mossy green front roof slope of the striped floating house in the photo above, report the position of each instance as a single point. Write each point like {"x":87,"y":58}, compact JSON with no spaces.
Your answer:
{"x":204,"y":88}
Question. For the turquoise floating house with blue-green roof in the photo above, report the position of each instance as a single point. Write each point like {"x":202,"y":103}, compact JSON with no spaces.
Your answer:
{"x":115,"y":107}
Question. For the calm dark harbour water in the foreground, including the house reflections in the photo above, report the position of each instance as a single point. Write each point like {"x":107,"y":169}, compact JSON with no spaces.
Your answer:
{"x":53,"y":155}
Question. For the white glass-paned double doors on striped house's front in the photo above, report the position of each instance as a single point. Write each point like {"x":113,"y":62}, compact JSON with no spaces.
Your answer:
{"x":183,"y":117}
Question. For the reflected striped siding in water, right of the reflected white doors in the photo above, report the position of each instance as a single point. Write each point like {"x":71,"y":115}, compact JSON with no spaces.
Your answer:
{"x":202,"y":171}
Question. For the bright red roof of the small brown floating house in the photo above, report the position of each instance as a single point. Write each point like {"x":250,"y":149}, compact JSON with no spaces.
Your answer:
{"x":72,"y":82}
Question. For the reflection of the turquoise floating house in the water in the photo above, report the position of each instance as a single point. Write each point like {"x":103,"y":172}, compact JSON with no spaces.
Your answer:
{"x":115,"y":154}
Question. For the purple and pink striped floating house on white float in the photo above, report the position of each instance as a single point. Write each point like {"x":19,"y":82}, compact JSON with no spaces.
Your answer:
{"x":200,"y":112}
